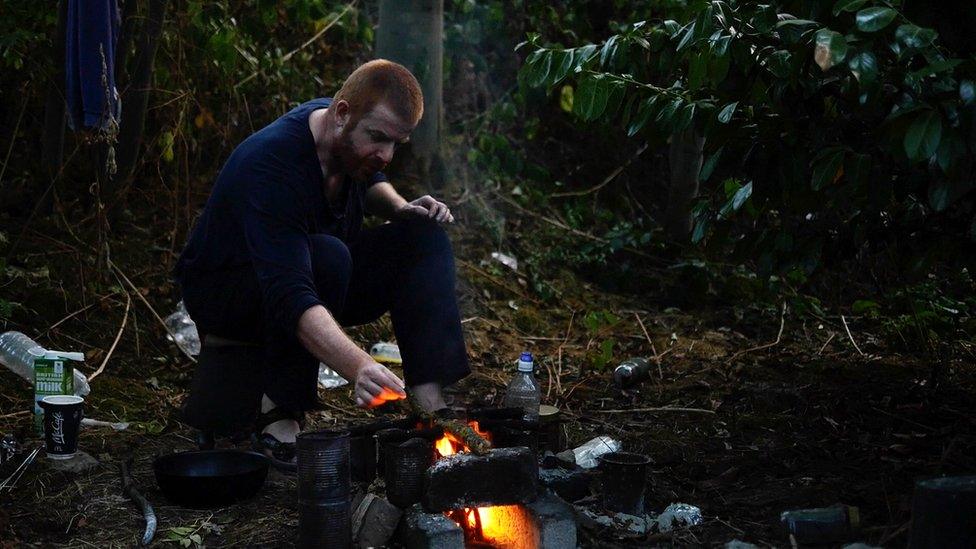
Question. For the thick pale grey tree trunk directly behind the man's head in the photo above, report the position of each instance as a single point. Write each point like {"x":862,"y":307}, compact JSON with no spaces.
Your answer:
{"x":411,"y":33}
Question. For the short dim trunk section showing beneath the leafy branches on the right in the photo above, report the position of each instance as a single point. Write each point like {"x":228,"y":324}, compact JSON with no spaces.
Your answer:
{"x":685,"y":158}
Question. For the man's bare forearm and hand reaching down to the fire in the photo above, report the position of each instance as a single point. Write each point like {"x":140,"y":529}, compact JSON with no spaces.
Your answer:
{"x":323,"y":337}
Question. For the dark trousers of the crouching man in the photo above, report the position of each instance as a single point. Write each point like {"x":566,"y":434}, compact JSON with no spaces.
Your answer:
{"x":406,"y":268}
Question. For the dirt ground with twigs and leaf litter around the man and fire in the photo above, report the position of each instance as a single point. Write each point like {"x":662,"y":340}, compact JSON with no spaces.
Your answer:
{"x":778,"y":411}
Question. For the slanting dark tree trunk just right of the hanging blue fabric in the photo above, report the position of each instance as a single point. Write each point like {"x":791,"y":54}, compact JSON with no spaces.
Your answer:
{"x":136,"y":101}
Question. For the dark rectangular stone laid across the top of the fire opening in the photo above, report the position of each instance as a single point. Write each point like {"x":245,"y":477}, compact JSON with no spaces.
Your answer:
{"x":504,"y":476}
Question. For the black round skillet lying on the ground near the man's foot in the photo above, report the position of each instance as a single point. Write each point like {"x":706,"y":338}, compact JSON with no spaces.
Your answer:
{"x":209,"y":478}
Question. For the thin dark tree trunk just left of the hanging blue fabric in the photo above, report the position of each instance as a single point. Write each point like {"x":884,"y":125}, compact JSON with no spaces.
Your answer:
{"x":55,"y":107}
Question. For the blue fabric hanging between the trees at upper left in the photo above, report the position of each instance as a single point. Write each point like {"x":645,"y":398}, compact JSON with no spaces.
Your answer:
{"x":91,"y":34}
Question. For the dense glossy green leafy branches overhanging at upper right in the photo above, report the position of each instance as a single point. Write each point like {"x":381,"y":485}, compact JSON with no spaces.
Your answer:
{"x":830,"y":133}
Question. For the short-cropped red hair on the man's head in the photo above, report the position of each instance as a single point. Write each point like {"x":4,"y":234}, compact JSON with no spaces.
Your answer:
{"x":382,"y":81}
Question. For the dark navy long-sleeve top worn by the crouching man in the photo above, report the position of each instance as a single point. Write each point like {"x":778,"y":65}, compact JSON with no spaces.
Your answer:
{"x":267,"y":200}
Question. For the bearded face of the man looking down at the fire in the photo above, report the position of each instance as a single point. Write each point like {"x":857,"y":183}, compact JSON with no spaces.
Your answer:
{"x":368,"y":146}
